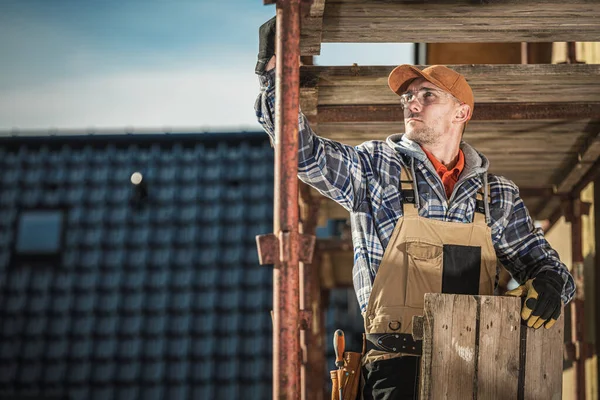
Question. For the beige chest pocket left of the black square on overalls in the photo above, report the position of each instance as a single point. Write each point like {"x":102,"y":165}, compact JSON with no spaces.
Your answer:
{"x":424,"y":264}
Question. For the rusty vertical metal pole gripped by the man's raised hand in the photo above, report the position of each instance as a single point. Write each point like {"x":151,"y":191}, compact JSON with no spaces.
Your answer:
{"x":286,"y":319}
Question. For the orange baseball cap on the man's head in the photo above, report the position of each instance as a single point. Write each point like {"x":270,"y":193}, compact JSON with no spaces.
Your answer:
{"x":440,"y":75}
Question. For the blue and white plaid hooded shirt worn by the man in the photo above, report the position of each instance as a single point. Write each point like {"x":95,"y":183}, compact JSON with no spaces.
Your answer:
{"x":365,"y":180}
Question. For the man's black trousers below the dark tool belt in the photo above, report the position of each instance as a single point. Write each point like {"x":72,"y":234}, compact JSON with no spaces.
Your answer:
{"x":393,"y":379}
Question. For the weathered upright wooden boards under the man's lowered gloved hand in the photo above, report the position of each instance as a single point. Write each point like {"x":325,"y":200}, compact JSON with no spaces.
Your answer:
{"x":476,"y":347}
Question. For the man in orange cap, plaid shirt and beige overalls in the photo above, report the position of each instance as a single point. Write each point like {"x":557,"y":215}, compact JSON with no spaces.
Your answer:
{"x":426,"y":216}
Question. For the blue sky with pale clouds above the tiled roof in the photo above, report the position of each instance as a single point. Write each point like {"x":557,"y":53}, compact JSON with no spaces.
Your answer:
{"x":152,"y":64}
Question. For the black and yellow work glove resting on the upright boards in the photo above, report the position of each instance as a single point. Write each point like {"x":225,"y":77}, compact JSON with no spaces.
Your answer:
{"x":543,"y":303}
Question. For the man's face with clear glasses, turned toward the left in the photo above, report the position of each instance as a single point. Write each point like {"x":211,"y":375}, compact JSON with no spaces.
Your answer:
{"x":427,"y":123}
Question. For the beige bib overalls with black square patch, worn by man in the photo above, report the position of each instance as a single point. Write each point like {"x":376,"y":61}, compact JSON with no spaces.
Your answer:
{"x":426,"y":256}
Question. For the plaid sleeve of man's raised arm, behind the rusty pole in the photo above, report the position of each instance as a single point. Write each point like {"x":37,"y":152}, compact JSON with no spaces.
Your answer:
{"x":334,"y":169}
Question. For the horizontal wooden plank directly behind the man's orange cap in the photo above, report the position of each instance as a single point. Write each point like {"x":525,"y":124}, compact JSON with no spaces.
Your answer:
{"x":490,"y":83}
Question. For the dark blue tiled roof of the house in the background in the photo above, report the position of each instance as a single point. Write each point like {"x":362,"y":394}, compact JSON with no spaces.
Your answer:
{"x":165,"y":300}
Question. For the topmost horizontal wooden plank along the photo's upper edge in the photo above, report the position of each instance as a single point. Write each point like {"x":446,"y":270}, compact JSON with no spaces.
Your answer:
{"x":460,"y":21}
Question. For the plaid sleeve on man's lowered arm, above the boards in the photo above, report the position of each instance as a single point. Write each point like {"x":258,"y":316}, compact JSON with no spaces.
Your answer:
{"x":524,"y":250}
